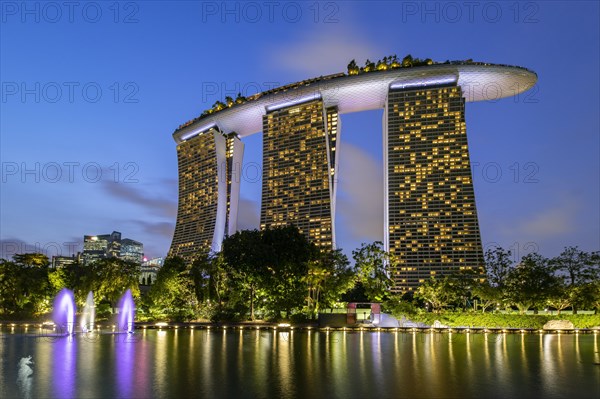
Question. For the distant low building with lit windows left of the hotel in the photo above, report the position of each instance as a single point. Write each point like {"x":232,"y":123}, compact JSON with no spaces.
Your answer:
{"x":106,"y":246}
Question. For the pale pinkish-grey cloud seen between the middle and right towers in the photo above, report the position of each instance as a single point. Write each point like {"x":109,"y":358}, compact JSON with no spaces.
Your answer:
{"x":360,"y":194}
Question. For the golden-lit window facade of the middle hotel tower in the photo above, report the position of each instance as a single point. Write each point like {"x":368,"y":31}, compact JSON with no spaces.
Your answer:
{"x":297,"y":170}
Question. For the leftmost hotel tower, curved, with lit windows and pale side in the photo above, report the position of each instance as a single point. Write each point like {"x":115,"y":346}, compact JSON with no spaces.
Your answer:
{"x":209,"y":180}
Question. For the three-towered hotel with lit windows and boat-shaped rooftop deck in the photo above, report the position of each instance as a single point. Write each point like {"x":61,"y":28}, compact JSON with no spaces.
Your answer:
{"x":430,"y":216}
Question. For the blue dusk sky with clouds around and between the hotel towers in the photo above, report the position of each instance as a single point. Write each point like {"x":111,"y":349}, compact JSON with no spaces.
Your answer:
{"x":91,"y":94}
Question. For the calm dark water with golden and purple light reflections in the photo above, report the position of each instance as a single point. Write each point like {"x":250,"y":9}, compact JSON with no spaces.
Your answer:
{"x":249,"y":363}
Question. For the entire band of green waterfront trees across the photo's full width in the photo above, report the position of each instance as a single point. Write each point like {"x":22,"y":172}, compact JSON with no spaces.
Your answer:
{"x":277,"y":274}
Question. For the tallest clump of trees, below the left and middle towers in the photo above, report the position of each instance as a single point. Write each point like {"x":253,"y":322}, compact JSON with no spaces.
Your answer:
{"x":267,"y":274}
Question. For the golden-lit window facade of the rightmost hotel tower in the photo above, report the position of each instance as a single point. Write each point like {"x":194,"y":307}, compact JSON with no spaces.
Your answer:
{"x":433,"y":226}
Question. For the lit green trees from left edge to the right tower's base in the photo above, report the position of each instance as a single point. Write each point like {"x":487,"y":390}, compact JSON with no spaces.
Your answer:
{"x":266,"y":274}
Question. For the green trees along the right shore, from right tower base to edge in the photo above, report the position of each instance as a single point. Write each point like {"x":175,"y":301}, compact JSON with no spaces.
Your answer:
{"x":570,"y":280}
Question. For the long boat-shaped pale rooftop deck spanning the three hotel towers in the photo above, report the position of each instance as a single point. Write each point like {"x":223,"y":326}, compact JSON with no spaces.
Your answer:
{"x":365,"y":91}
